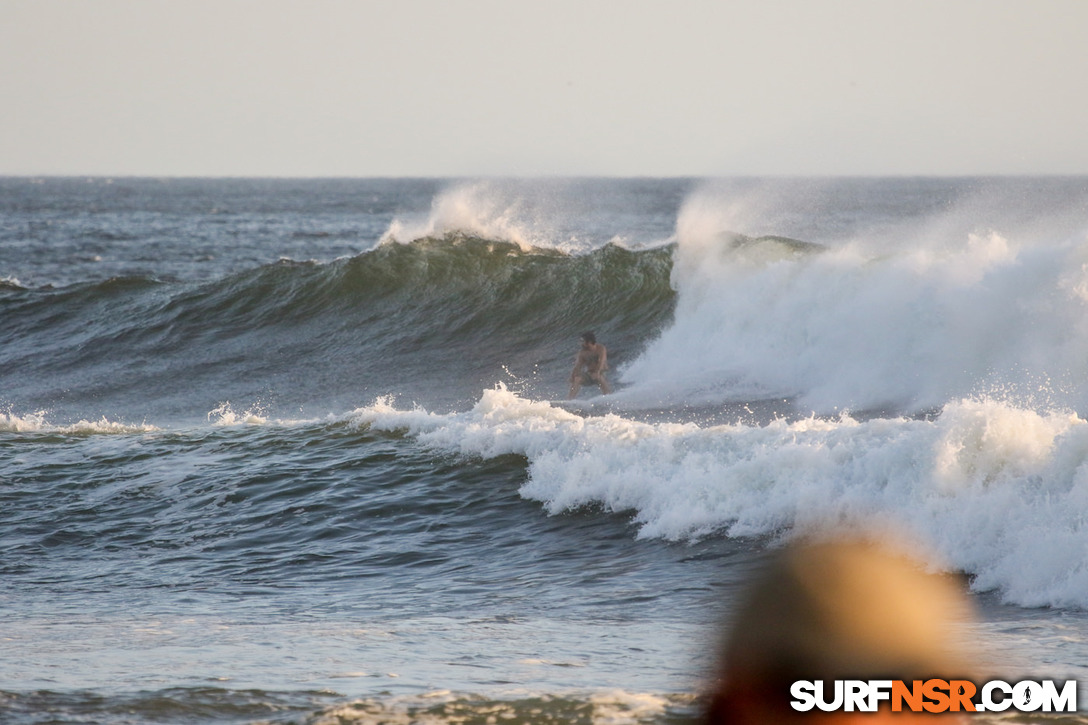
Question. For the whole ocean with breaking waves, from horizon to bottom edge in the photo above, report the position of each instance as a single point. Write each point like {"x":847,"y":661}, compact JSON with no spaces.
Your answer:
{"x":298,"y":451}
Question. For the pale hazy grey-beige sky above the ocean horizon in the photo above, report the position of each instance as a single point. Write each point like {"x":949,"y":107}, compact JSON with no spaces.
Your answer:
{"x":543,"y":88}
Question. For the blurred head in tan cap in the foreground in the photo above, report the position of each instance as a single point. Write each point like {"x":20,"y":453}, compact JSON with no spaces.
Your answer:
{"x":838,"y":609}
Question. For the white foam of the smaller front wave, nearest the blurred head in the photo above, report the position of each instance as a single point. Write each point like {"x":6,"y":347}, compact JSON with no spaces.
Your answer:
{"x":996,"y":490}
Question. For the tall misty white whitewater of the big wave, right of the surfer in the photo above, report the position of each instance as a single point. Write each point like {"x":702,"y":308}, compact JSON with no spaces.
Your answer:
{"x":913,"y":320}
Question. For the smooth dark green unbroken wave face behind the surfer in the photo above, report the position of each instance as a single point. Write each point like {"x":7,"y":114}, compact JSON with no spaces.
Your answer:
{"x":436,"y":320}
